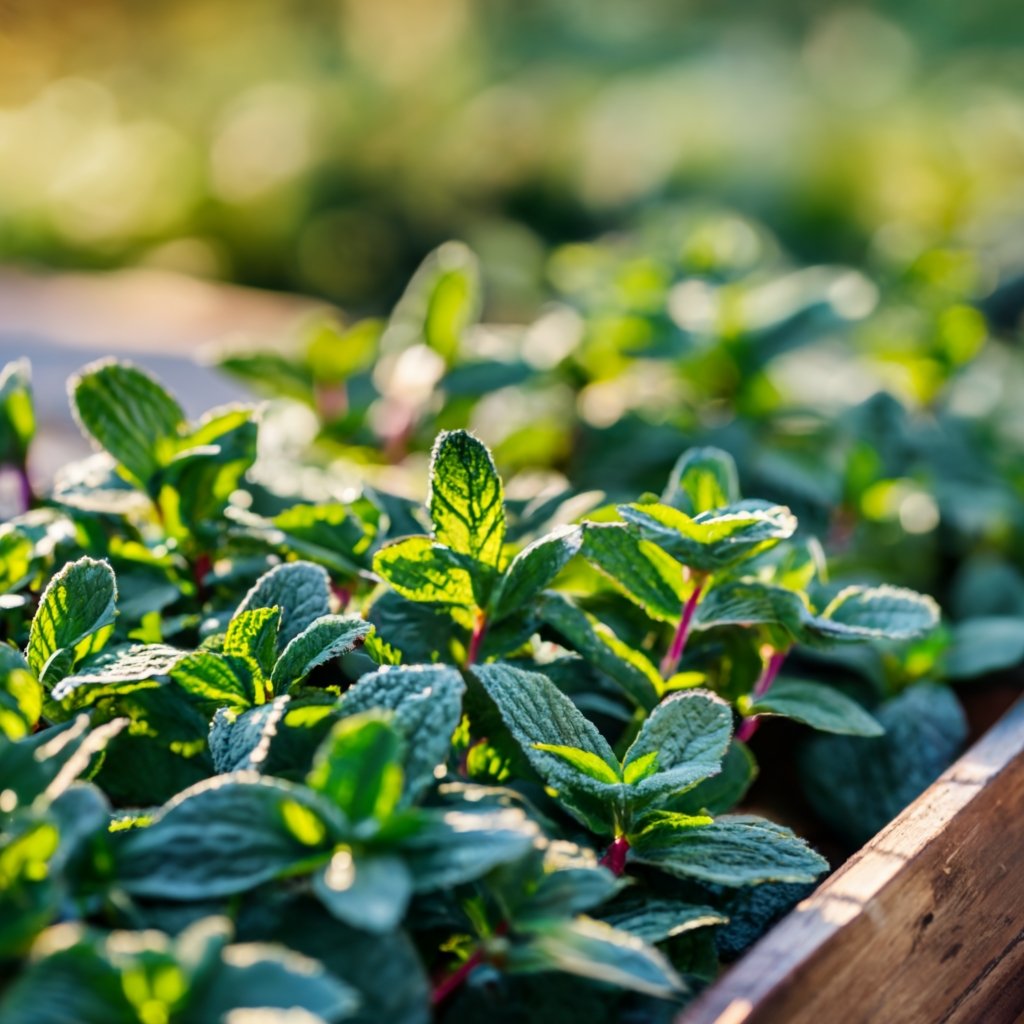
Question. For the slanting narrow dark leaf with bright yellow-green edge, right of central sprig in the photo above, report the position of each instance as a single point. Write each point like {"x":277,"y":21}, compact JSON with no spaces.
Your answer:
{"x":599,"y":646}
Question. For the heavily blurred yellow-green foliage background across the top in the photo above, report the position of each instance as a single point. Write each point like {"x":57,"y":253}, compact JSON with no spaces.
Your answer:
{"x":326,"y":147}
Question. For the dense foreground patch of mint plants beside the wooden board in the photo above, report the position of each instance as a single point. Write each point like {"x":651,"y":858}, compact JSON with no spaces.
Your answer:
{"x":250,"y":738}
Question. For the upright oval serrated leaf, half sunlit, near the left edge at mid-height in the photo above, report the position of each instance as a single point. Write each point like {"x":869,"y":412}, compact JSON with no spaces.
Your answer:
{"x":75,"y":618}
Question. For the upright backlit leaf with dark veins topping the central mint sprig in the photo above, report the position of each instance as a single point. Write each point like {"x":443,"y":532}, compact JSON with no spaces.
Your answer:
{"x":466,"y":500}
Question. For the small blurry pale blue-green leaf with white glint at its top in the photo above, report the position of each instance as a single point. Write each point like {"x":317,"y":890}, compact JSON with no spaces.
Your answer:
{"x":368,"y":892}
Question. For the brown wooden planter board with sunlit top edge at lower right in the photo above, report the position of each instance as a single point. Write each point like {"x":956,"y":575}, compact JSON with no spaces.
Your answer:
{"x":925,"y":924}
